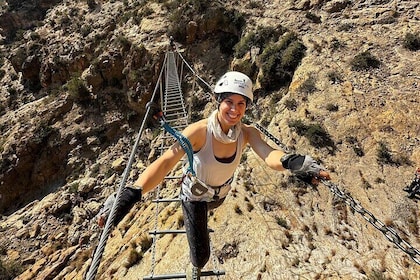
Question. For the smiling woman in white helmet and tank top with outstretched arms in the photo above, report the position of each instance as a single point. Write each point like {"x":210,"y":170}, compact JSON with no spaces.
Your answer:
{"x":218,"y":143}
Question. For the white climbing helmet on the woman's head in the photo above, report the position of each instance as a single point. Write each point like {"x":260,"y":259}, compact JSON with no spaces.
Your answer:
{"x":235,"y":82}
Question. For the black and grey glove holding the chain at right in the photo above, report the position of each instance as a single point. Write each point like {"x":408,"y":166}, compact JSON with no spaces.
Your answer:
{"x":304,"y":167}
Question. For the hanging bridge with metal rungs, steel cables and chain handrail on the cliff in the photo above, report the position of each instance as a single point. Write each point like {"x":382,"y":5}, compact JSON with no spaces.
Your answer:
{"x":174,"y":108}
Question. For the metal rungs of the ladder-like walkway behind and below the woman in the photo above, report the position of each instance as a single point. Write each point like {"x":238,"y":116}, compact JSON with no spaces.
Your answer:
{"x":174,"y":109}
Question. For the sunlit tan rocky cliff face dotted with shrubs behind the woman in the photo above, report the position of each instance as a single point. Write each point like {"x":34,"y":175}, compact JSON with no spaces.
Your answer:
{"x":75,"y":78}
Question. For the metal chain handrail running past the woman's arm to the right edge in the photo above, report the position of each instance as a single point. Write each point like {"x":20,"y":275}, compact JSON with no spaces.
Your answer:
{"x":389,"y":232}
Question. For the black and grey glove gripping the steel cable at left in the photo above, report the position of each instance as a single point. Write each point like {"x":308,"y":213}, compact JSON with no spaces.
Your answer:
{"x":129,"y":197}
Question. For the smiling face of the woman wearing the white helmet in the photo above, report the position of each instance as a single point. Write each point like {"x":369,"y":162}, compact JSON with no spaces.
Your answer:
{"x":231,"y":110}
